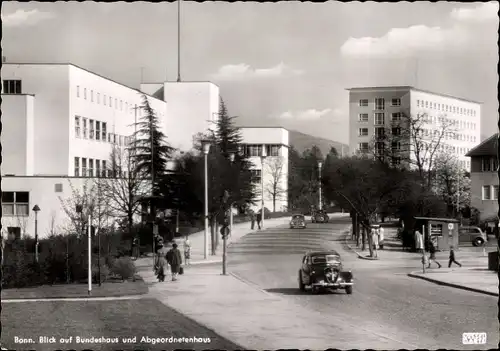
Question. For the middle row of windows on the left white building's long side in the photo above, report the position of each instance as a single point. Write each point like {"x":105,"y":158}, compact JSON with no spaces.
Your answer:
{"x":97,"y":130}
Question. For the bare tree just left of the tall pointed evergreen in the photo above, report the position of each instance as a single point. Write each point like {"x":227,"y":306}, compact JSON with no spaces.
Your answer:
{"x":124,"y":187}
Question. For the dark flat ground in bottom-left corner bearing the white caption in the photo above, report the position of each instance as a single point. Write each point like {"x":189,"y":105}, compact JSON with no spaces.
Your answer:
{"x":103,"y":319}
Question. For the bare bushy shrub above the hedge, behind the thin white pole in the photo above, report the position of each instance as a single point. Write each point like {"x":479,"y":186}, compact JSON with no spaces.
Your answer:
{"x":92,"y":201}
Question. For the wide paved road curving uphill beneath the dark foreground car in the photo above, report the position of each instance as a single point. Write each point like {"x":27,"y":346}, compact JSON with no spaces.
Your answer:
{"x":385,"y":301}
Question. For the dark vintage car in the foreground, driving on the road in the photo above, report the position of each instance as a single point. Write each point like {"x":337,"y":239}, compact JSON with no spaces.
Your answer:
{"x":322,"y":270}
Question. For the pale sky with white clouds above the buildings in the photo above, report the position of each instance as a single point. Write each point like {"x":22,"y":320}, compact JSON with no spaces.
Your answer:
{"x":277,"y":64}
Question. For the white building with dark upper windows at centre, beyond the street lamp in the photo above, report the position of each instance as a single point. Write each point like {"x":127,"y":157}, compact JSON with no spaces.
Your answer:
{"x":273,"y":143}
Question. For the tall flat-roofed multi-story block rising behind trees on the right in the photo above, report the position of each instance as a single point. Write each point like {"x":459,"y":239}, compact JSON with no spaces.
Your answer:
{"x":372,"y":111}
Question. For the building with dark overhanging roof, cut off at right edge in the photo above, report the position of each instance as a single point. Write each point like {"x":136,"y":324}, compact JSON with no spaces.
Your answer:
{"x":484,"y":178}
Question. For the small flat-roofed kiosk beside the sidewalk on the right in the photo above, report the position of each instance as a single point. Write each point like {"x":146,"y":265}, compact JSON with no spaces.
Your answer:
{"x":443,"y":232}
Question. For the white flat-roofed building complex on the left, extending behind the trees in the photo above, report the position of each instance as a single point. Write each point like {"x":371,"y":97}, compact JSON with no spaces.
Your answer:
{"x":60,"y":123}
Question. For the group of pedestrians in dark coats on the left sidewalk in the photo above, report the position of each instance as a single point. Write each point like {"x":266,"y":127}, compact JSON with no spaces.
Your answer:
{"x":172,"y":258}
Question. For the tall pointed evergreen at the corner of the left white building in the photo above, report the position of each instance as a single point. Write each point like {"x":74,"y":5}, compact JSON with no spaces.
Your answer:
{"x":149,"y":149}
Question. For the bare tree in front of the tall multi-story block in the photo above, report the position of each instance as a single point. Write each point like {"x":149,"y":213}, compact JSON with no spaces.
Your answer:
{"x":415,"y":141}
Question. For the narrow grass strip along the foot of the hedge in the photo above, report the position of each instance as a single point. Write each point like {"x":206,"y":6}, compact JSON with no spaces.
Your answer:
{"x":108,"y":288}
